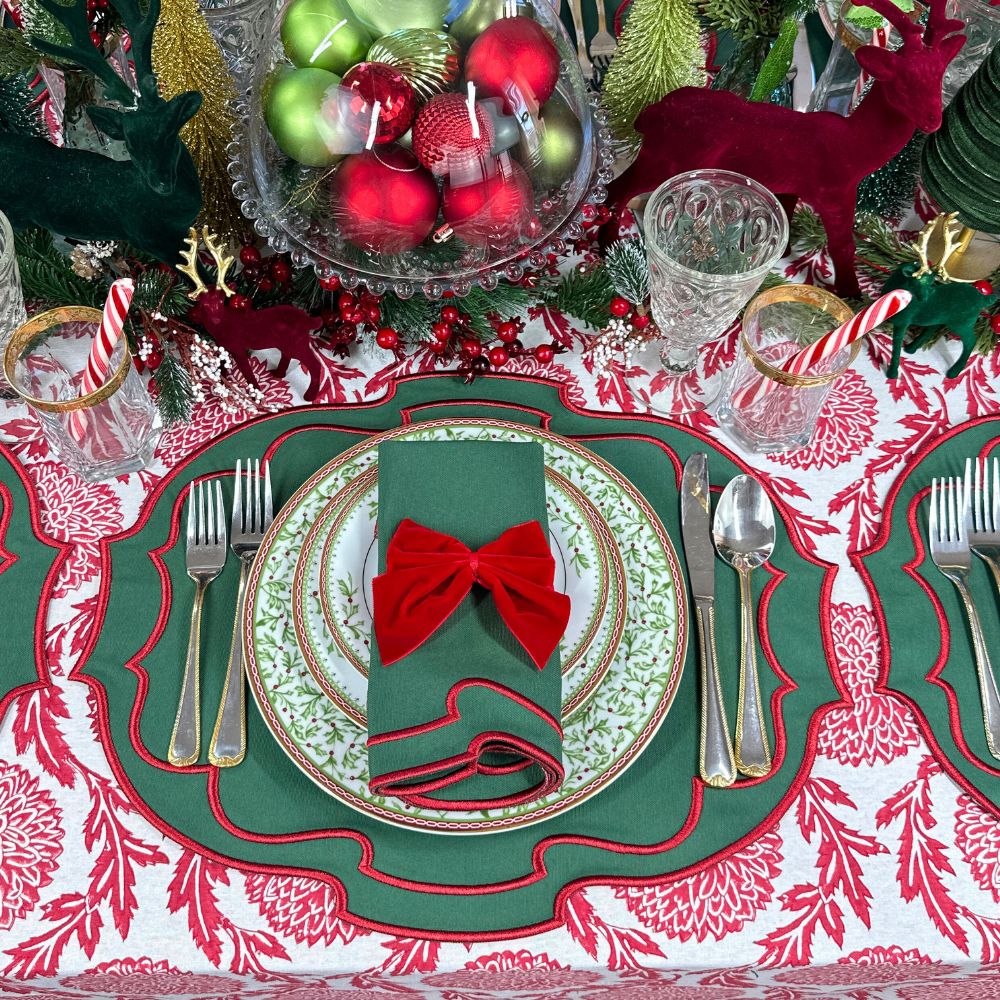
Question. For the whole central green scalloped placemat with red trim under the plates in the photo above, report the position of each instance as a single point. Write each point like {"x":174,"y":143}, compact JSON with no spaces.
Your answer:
{"x":655,"y":821}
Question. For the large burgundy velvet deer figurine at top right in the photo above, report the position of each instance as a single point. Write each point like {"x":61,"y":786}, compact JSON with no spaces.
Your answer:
{"x":819,"y":157}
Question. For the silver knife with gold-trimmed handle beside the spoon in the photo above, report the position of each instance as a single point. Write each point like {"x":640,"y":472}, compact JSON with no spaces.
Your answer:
{"x":716,"y":762}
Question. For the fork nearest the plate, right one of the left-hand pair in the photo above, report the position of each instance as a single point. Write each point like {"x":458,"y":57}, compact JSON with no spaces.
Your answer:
{"x":252,"y":516}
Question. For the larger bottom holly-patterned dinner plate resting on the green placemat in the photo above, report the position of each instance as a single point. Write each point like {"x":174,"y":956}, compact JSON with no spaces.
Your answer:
{"x":601,"y":740}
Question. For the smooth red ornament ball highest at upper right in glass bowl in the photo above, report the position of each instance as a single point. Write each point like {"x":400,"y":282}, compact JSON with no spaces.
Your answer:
{"x":514,"y":59}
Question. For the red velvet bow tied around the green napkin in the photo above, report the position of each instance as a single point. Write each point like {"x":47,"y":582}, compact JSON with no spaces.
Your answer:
{"x":428,"y":574}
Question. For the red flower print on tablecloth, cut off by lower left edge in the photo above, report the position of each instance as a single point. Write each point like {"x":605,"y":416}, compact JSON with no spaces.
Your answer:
{"x":30,"y":842}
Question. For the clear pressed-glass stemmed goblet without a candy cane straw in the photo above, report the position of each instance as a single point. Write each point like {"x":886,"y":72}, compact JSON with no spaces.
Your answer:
{"x":711,"y":238}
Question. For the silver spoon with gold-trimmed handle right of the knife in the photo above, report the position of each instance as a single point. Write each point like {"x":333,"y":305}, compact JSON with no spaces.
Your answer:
{"x":744,"y":538}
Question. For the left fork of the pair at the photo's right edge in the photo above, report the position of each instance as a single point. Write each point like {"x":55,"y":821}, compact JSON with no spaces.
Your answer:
{"x":949,"y":537}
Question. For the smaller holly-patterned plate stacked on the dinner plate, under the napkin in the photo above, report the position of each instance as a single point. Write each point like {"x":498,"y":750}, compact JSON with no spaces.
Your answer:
{"x":332,"y":592}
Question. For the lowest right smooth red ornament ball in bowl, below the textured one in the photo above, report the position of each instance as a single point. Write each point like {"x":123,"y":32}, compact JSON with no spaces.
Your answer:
{"x":491,"y":211}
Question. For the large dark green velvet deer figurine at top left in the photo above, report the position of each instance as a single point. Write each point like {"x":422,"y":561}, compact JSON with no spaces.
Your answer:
{"x":150,"y":200}
